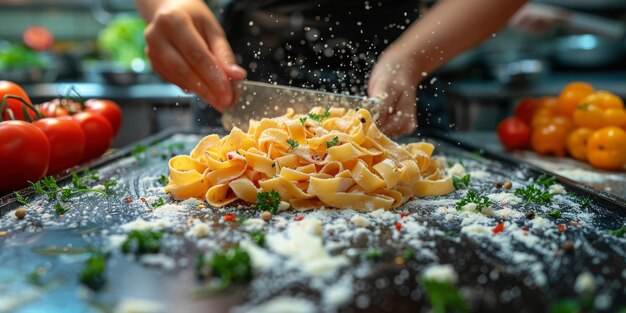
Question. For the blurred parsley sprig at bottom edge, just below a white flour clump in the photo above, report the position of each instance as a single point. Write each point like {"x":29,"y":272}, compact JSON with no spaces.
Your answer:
{"x":444,"y":296}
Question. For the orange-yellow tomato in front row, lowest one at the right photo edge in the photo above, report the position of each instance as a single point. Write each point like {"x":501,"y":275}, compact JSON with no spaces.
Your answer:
{"x":605,"y":148}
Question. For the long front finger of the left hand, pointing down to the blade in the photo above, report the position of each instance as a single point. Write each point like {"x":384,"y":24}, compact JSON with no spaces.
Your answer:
{"x":188,"y":42}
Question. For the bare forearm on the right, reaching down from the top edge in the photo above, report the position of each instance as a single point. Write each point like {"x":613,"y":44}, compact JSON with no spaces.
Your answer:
{"x":450,"y":27}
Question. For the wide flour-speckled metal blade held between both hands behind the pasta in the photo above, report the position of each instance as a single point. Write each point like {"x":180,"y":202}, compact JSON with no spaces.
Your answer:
{"x":255,"y":100}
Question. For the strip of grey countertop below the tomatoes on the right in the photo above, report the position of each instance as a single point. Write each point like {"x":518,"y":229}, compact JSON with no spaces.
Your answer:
{"x":609,"y":182}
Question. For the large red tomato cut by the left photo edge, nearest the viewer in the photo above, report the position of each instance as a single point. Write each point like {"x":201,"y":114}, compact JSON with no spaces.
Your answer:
{"x":24,"y":154}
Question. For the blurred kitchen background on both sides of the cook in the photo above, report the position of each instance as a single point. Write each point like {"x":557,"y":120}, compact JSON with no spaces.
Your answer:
{"x":477,"y":89}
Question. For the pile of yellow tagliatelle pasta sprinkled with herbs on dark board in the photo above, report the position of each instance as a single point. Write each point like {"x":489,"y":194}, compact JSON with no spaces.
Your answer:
{"x":334,"y":157}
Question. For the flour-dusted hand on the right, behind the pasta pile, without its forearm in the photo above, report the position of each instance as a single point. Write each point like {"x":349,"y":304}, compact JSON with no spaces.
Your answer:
{"x":393,"y":79}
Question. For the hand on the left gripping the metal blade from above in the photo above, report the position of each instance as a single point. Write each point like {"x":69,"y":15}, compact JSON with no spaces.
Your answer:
{"x":188,"y":47}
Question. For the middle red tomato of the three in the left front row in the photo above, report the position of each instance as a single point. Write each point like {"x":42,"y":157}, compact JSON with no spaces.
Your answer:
{"x":67,"y":142}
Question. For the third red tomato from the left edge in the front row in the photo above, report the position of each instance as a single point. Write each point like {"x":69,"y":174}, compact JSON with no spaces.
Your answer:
{"x":98,"y":134}
